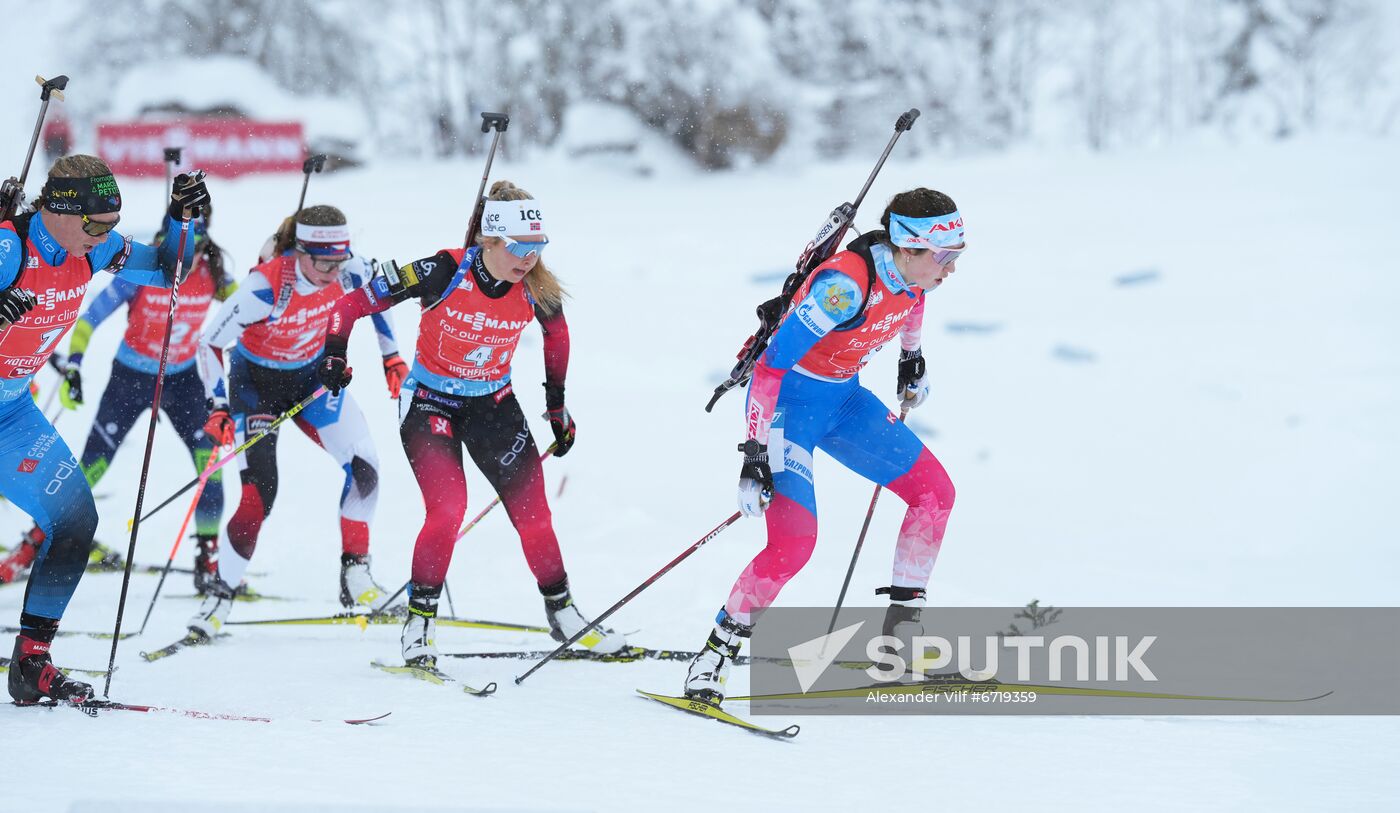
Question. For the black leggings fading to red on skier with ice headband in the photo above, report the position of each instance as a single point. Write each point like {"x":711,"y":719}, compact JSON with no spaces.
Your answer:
{"x":496,"y":436}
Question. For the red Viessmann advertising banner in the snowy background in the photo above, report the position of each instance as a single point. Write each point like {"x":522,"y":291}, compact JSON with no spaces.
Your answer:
{"x":226,"y":148}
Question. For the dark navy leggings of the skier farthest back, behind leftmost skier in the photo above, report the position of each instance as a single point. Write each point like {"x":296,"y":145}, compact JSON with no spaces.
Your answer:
{"x":127,"y":398}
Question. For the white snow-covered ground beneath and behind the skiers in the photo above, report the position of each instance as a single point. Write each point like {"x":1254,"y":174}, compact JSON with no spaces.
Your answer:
{"x":1161,"y":379}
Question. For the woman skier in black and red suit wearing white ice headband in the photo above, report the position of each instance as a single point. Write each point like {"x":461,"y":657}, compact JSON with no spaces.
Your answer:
{"x":477,"y":304}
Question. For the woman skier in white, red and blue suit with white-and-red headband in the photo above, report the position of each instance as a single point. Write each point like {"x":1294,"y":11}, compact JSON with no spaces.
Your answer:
{"x":278,"y":325}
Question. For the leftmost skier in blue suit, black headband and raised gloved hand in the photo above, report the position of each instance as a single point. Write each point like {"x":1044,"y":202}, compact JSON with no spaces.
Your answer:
{"x":47,"y":262}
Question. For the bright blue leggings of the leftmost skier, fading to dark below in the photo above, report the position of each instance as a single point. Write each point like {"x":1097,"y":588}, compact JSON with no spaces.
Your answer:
{"x":40,"y":475}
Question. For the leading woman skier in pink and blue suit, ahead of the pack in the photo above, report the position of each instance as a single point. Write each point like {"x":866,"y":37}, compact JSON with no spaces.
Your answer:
{"x":806,"y":394}
